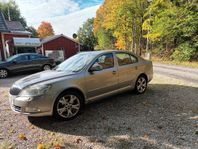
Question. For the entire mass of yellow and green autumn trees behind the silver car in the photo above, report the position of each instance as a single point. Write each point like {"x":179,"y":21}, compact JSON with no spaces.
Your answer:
{"x":167,"y":26}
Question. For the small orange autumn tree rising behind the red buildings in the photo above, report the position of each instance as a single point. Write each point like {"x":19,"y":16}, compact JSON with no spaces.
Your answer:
{"x":45,"y":30}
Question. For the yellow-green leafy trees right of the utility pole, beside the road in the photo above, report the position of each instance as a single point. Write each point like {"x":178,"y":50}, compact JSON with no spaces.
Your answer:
{"x":173,"y":28}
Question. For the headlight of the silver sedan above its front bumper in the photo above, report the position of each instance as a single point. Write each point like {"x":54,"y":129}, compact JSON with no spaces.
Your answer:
{"x":35,"y":90}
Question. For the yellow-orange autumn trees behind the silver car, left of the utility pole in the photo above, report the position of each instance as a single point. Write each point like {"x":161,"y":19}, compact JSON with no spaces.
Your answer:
{"x":123,"y":21}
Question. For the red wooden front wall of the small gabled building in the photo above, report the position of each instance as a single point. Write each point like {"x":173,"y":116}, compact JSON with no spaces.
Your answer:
{"x":70,"y":47}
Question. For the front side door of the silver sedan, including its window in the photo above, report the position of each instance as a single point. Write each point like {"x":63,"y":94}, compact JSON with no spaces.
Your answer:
{"x":102,"y":81}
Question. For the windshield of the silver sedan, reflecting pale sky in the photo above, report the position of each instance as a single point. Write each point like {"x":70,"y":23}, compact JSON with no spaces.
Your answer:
{"x":75,"y":63}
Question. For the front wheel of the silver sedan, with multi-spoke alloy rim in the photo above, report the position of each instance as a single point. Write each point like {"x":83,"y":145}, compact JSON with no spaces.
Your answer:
{"x":68,"y":106}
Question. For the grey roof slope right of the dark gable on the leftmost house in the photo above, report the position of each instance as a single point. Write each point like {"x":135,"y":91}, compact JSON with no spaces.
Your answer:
{"x":15,"y":26}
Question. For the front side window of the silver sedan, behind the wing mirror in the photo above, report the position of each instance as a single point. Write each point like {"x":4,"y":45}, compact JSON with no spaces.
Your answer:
{"x":106,"y":61}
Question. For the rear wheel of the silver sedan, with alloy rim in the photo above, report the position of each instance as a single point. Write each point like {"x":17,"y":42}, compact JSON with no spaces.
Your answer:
{"x":141,"y":84}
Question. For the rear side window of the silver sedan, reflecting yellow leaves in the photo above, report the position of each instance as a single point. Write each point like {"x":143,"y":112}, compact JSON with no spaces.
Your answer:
{"x":125,"y":59}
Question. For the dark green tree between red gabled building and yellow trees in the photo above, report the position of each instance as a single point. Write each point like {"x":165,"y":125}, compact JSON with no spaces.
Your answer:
{"x":86,"y":35}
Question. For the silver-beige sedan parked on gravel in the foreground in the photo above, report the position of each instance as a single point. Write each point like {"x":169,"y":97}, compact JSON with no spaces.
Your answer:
{"x":83,"y":78}
